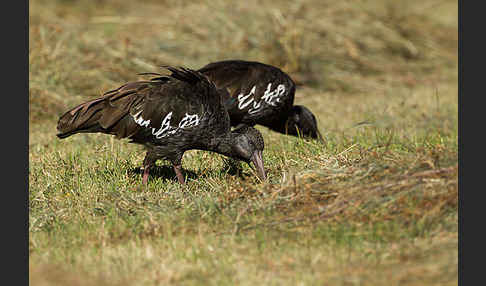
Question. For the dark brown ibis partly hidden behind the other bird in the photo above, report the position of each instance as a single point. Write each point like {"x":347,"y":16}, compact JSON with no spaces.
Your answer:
{"x":257,"y":93}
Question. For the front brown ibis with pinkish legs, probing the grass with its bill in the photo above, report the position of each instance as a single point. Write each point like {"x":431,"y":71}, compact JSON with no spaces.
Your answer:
{"x":168,"y":114}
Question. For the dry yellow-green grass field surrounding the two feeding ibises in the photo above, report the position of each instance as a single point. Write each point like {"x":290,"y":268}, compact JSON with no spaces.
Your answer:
{"x":376,"y":204}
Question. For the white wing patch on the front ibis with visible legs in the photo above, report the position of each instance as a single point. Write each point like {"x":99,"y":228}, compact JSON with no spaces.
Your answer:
{"x":166,"y":129}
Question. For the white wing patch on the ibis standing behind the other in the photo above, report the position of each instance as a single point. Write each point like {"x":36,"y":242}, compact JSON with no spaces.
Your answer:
{"x":270,"y":97}
